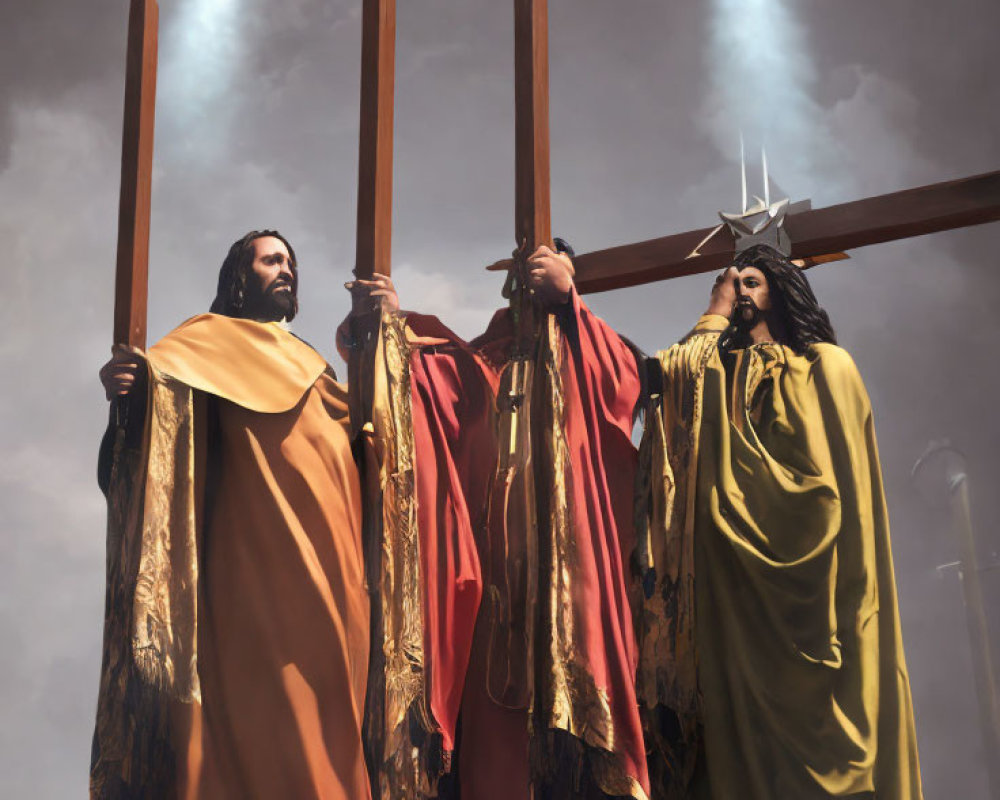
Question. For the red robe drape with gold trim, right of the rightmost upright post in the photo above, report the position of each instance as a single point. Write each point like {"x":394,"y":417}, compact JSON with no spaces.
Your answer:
{"x":588,"y":390}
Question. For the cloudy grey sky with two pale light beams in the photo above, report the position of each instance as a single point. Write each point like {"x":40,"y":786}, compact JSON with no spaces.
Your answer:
{"x":257,"y":127}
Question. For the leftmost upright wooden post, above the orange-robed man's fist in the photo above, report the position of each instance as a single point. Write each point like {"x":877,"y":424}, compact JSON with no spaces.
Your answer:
{"x":132,"y":267}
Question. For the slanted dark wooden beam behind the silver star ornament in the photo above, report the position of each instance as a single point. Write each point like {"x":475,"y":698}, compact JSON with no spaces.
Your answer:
{"x":898,"y":215}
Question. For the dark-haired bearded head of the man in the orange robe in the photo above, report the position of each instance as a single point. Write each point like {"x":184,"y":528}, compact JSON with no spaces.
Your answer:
{"x":259,"y":279}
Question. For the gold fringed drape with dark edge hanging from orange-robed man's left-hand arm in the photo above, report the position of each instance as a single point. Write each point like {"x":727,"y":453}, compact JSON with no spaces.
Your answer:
{"x":150,"y":641}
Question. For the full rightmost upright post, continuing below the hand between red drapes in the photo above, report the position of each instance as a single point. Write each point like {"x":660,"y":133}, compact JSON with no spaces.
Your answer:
{"x":511,"y":675}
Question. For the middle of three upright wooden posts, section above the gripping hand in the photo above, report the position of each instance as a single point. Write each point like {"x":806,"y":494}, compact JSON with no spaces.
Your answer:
{"x":378,"y":47}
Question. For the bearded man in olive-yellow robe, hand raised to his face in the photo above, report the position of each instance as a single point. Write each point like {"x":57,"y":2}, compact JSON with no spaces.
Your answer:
{"x":771,"y":661}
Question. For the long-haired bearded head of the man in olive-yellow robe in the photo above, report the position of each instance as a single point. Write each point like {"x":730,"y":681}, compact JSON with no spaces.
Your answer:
{"x":773,"y":289}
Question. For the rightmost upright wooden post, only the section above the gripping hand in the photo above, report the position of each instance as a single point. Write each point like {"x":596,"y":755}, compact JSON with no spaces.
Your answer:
{"x":532,"y":225}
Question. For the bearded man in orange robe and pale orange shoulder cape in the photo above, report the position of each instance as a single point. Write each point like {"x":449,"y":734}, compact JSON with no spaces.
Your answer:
{"x":237,"y":616}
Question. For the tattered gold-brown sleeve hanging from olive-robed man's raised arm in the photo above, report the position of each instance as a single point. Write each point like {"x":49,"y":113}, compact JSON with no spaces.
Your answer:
{"x":667,"y":679}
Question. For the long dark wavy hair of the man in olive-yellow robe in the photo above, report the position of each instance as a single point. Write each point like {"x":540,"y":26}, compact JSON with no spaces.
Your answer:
{"x":792,"y":299}
